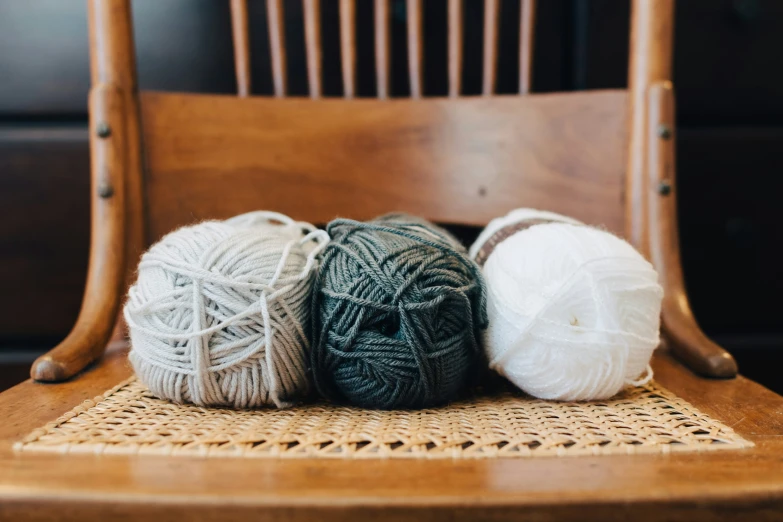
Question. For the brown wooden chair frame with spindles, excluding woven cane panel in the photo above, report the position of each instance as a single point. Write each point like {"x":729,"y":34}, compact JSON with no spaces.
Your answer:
{"x":160,"y":160}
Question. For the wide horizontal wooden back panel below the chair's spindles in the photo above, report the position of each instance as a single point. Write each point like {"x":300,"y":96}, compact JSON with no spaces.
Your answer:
{"x":461,"y":161}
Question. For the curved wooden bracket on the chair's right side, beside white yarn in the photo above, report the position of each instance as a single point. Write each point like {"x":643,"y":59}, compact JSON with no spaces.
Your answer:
{"x":688,"y":341}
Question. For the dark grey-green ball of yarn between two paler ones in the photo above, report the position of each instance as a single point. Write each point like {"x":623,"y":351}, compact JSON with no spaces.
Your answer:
{"x":398,"y":312}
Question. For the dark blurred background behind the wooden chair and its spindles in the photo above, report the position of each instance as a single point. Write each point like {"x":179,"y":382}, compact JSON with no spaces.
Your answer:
{"x":728,"y":77}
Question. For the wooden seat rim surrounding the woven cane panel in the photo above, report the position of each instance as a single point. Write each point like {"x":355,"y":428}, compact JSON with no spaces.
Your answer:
{"x":725,"y":485}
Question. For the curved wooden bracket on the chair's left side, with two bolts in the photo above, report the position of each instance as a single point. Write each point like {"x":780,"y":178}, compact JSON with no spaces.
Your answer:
{"x":105,"y":278}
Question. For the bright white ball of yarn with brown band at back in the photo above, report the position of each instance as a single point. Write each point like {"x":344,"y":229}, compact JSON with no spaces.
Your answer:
{"x":574,"y":311}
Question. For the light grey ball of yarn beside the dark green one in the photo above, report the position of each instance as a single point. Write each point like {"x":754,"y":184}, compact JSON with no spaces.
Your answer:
{"x":220,"y":312}
